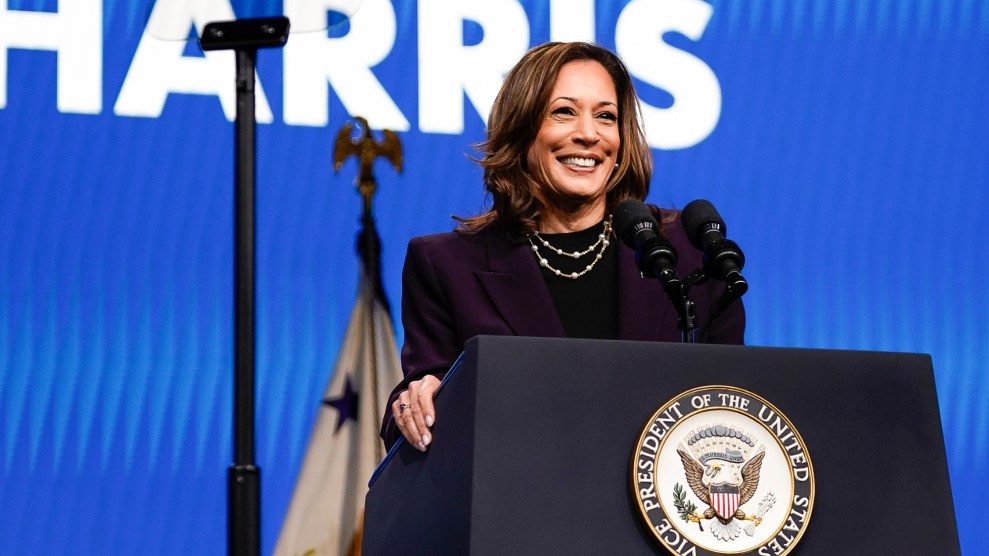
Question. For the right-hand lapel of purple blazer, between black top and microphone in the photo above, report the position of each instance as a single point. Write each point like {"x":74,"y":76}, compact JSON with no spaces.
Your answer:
{"x":642,"y":303}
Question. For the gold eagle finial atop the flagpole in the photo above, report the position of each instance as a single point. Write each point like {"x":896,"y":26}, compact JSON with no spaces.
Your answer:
{"x":366,"y":149}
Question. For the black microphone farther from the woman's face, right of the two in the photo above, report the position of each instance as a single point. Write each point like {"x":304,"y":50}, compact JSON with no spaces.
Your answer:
{"x":723,"y":258}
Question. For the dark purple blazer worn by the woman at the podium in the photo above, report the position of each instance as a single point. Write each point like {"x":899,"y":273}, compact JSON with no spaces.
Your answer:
{"x":456,"y":286}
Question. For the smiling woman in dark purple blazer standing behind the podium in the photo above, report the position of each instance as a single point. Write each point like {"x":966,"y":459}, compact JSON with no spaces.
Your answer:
{"x":564,"y":146}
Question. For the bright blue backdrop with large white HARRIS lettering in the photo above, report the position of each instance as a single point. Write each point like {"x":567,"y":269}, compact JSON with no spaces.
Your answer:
{"x":843,"y":141}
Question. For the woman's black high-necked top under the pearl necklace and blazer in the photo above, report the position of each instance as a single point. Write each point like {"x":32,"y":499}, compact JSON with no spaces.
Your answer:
{"x":587,"y":306}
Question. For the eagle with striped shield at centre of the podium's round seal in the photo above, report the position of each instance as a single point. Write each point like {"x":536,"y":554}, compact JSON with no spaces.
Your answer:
{"x":702,"y":481}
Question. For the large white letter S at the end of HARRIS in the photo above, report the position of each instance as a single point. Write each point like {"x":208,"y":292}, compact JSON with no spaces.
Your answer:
{"x":695,"y":89}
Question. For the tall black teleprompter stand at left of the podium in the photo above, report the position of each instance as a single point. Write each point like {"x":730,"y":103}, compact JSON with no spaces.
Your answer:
{"x":244,"y":36}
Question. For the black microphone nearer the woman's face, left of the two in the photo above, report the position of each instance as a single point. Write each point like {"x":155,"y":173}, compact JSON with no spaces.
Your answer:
{"x":655,"y":255}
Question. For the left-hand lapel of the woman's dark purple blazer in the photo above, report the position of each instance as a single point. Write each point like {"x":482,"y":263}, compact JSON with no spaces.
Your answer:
{"x":517,"y":289}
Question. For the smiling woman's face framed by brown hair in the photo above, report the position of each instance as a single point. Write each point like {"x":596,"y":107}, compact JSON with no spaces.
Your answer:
{"x":577,"y":144}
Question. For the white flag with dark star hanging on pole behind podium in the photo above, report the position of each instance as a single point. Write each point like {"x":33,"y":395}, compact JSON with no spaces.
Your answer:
{"x":325,"y":516}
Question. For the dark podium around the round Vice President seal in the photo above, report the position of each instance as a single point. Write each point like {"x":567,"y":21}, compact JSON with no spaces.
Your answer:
{"x":534,"y":441}
